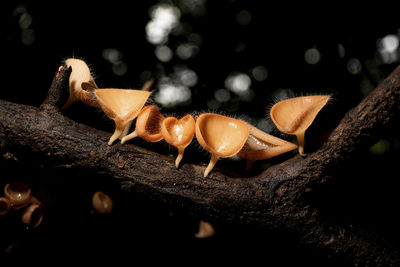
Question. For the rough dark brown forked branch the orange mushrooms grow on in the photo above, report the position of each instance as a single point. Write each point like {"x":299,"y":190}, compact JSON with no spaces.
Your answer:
{"x":274,"y":198}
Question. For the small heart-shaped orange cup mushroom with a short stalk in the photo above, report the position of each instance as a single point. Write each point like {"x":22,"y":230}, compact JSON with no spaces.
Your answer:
{"x":178,"y":133}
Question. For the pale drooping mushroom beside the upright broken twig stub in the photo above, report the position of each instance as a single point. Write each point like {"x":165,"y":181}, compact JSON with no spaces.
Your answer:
{"x":80,"y":73}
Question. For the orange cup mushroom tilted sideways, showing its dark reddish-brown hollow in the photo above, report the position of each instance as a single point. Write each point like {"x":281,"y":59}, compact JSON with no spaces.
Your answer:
{"x":148,"y":125}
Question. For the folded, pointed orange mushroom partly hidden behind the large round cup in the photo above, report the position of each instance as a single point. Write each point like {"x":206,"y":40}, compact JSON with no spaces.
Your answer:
{"x":261,"y":145}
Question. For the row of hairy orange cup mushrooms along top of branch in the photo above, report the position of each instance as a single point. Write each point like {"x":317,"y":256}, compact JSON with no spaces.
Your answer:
{"x":221,"y":136}
